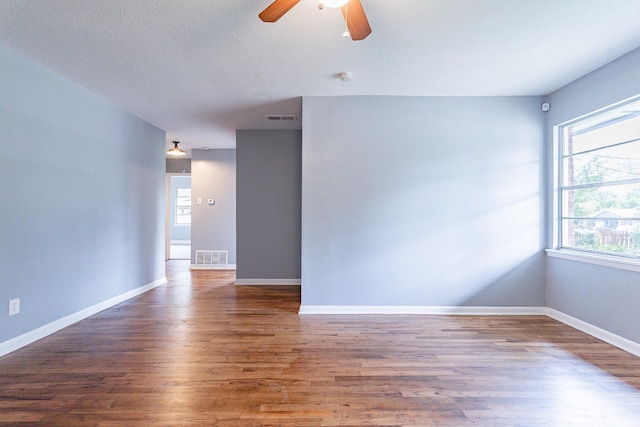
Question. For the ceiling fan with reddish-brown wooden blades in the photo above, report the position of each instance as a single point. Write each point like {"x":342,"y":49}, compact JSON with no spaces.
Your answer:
{"x":352,"y":10}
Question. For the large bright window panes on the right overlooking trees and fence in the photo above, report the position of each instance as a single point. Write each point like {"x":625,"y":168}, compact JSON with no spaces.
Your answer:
{"x":599,"y":182}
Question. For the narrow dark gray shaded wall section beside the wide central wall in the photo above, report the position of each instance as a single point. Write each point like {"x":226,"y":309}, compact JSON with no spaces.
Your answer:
{"x":268,"y":203}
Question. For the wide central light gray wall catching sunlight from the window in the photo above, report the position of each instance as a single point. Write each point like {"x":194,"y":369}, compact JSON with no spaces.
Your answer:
{"x":422,"y":201}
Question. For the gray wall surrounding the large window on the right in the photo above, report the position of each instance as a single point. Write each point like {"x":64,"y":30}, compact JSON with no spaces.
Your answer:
{"x":605,"y":297}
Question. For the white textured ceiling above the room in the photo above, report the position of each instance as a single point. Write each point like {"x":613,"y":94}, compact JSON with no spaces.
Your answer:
{"x":200,"y":69}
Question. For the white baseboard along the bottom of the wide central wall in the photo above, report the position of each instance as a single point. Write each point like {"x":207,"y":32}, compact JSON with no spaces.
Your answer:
{"x":448,"y":310}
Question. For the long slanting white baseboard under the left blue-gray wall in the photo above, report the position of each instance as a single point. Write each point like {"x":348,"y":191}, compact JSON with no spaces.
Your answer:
{"x":48,"y":329}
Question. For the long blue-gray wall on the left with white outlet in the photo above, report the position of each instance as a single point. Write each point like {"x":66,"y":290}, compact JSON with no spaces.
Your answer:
{"x":82,"y":215}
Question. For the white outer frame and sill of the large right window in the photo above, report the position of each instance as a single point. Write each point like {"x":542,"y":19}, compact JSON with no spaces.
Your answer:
{"x":622,"y":261}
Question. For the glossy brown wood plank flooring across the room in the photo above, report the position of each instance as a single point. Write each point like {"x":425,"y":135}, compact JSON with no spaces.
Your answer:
{"x":203,"y":352}
